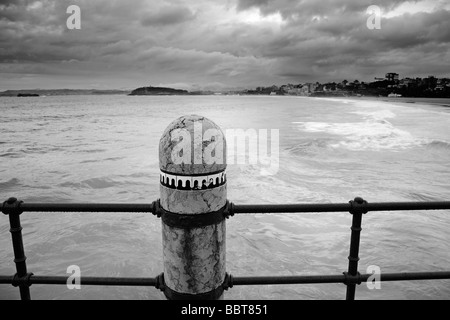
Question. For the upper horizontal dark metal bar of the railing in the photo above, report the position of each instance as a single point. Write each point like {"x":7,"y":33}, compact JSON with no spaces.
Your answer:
{"x":238,"y":209}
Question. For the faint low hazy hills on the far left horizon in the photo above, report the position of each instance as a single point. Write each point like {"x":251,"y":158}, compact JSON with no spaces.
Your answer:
{"x":60,"y":92}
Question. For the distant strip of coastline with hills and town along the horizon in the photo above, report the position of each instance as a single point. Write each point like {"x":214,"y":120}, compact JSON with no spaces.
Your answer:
{"x":389,"y":86}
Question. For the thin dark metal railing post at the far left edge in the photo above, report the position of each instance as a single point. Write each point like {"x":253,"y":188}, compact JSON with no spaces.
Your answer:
{"x":11,"y":207}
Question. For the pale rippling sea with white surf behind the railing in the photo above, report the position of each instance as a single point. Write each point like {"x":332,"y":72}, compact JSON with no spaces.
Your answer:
{"x":104,"y":149}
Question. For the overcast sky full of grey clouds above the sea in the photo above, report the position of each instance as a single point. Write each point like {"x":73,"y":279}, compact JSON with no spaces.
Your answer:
{"x":214,"y":44}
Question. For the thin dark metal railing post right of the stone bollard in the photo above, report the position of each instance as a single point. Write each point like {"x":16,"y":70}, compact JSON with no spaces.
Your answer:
{"x":358,"y":208}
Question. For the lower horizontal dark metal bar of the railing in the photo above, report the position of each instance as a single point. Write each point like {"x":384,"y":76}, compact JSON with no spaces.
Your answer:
{"x":273,"y":280}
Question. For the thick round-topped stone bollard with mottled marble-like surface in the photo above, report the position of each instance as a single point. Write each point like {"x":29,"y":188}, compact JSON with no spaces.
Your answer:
{"x":193,"y":188}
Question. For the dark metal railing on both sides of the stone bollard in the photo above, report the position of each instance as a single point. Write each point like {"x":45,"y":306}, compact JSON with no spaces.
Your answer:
{"x":350,"y":278}
